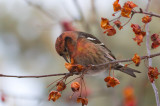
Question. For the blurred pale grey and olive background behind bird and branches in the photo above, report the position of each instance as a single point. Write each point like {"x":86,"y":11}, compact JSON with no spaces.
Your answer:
{"x":28,"y":30}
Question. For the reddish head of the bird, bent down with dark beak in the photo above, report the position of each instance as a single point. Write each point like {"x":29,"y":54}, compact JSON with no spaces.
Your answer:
{"x":65,"y":44}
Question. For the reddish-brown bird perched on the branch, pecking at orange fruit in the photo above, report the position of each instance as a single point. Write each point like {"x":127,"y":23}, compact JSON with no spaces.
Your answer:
{"x":85,"y":49}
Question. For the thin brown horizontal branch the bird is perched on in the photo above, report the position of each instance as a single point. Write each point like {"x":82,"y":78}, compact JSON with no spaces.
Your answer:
{"x":77,"y":73}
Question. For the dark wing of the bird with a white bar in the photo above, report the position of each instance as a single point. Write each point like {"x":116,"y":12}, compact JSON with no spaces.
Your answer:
{"x":95,"y":41}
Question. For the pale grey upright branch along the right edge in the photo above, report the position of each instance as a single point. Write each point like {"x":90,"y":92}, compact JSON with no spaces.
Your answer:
{"x":149,"y":52}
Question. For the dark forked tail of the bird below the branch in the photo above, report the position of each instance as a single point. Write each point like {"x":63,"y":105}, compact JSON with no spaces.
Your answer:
{"x":126,"y":70}
